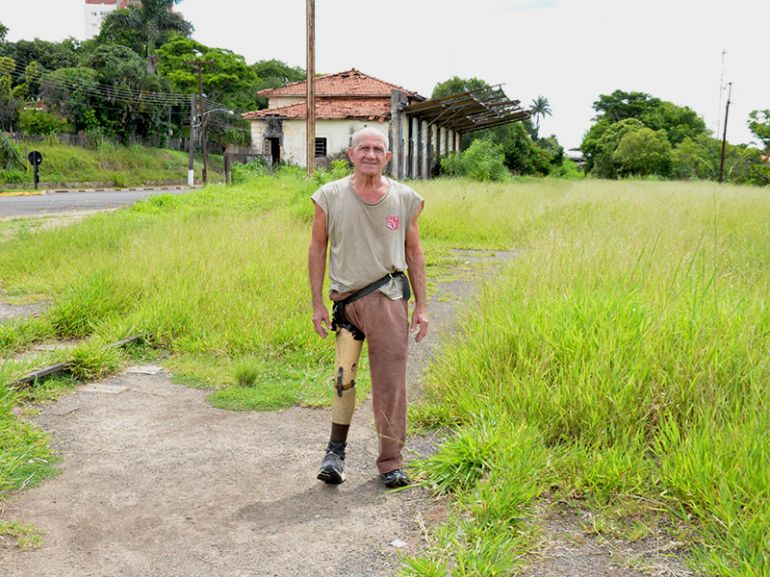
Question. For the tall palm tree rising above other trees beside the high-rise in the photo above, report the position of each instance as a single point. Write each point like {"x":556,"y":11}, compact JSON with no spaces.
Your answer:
{"x":145,"y":28}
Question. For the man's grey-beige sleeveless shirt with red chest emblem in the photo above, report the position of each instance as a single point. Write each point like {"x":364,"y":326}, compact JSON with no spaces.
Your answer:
{"x":366,"y":240}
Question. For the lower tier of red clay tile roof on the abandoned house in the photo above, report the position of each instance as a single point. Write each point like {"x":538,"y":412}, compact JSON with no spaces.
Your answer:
{"x":326,"y":109}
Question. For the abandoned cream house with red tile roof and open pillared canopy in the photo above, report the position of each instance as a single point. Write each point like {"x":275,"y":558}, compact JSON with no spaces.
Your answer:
{"x":420,"y":130}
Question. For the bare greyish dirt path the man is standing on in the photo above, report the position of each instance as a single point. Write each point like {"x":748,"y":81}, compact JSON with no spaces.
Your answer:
{"x":157,"y":483}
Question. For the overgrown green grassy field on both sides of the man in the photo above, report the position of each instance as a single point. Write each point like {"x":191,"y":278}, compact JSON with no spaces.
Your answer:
{"x":620,"y":360}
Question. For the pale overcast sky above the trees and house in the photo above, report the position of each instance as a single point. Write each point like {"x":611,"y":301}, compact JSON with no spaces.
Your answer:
{"x":569,"y":51}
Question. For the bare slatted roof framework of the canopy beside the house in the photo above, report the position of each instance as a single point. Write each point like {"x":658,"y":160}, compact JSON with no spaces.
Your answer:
{"x":468,"y":111}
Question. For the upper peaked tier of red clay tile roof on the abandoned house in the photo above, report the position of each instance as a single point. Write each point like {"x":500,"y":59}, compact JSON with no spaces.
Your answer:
{"x":349,"y":83}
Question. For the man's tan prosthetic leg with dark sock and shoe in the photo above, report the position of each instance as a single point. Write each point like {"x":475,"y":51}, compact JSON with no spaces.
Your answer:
{"x":348,"y":352}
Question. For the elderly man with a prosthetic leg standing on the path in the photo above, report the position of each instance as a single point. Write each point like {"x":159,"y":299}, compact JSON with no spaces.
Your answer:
{"x":369,"y":222}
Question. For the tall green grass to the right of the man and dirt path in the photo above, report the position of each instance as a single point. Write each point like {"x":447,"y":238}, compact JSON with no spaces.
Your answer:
{"x":631,"y":338}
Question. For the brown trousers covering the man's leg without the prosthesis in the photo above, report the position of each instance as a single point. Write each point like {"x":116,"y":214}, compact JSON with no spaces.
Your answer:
{"x":385,"y":324}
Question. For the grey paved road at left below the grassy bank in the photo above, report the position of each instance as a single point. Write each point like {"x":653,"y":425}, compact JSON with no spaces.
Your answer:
{"x":59,"y":202}
